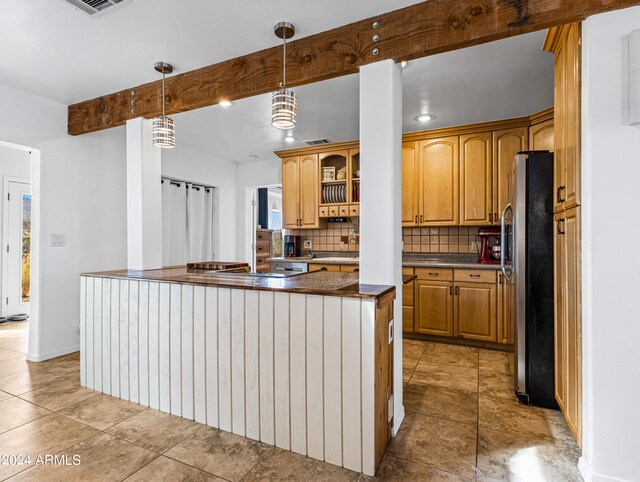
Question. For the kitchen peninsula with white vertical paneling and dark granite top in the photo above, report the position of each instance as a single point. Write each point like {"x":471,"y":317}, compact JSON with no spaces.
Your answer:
{"x":301,"y":362}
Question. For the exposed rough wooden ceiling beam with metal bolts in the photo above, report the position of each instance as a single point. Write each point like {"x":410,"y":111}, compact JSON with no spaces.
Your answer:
{"x":417,"y":31}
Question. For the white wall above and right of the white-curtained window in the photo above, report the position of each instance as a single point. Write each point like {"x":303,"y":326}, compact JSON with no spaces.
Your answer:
{"x":187,"y":164}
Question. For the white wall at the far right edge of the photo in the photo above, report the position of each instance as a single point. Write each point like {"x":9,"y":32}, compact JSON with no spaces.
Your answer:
{"x":611,"y":271}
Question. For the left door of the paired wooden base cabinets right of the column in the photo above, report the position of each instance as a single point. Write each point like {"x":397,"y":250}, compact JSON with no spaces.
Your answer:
{"x":434,"y":307}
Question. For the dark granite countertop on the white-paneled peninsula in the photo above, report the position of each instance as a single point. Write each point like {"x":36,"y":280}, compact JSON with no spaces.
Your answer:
{"x":316,"y":282}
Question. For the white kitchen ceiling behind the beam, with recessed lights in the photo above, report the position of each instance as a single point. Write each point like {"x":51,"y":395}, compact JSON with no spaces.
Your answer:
{"x":499,"y":80}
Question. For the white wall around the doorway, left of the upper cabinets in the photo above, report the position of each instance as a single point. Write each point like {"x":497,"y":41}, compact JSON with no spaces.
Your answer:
{"x":251,"y":175}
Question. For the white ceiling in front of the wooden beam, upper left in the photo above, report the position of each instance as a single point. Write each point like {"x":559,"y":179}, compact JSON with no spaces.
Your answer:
{"x":51,"y":49}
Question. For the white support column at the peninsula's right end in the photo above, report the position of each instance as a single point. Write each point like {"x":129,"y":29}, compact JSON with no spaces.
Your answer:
{"x":381,"y":197}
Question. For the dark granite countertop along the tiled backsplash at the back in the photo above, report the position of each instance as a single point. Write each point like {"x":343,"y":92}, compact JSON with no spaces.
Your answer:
{"x":453,"y":261}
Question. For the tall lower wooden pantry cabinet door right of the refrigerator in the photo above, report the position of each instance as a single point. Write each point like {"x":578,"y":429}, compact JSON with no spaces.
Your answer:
{"x":568,"y":323}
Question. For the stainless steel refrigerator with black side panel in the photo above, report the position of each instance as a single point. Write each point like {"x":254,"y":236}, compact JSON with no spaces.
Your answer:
{"x":527,"y":263}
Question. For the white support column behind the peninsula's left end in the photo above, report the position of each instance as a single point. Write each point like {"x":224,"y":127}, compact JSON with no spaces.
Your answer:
{"x":144,"y":203}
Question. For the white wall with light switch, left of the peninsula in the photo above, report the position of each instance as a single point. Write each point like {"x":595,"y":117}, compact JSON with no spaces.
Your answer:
{"x":83,"y":196}
